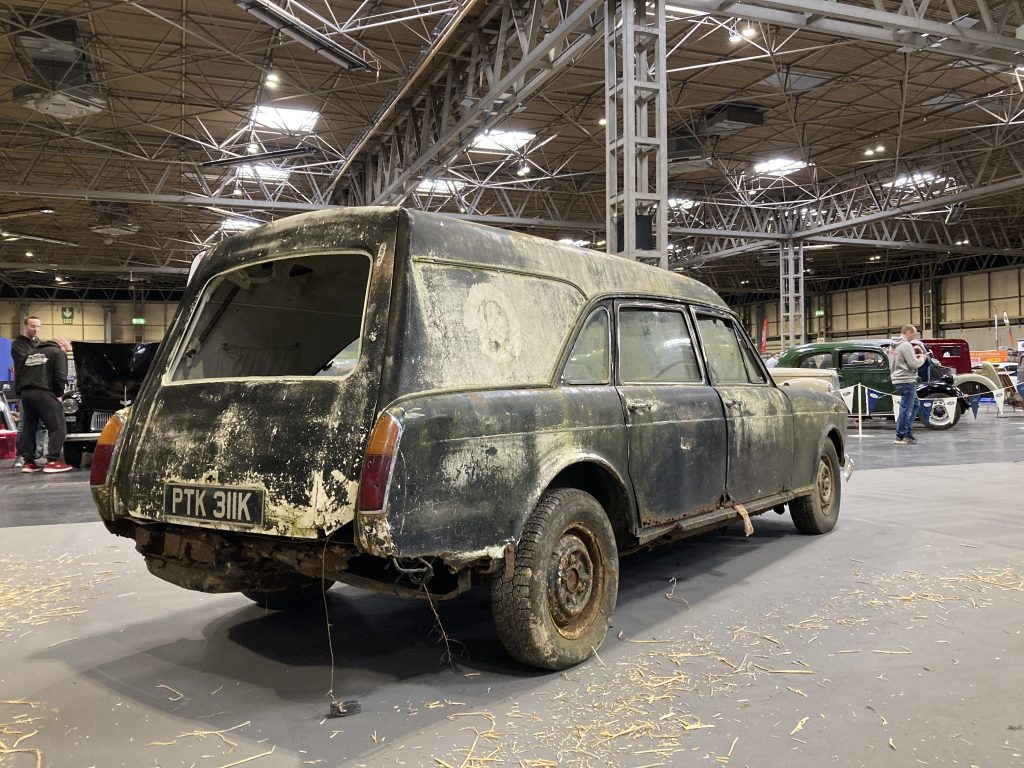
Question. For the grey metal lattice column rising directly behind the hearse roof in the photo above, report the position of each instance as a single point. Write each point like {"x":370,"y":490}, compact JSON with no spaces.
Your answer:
{"x":637,"y":173}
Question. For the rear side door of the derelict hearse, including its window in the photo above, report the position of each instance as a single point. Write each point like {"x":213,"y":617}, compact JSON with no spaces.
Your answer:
{"x":674,"y":419}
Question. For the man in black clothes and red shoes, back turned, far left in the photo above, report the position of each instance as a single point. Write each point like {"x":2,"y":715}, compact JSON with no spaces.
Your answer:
{"x":45,"y":376}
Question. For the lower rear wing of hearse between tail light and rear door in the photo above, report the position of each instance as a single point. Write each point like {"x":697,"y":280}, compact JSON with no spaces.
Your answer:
{"x":473,"y":466}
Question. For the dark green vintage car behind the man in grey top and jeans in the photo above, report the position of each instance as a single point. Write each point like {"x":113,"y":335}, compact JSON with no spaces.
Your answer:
{"x":868,"y":364}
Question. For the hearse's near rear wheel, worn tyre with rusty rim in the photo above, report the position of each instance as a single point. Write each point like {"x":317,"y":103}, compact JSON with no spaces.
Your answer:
{"x":554,"y":611}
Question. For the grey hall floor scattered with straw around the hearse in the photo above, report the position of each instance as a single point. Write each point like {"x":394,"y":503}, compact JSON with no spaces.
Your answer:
{"x":897,"y":641}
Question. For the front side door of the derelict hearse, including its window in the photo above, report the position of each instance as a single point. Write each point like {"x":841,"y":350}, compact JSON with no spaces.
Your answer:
{"x":759,"y":417}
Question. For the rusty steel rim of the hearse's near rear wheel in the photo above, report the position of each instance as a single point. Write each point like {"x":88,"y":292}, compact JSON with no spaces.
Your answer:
{"x":573,"y":587}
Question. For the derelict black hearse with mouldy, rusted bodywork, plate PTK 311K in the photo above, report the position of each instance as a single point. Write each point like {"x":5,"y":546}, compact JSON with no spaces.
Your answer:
{"x":417,"y":404}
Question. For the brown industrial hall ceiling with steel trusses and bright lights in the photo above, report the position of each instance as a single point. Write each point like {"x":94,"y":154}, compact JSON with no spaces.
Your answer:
{"x":135,"y":136}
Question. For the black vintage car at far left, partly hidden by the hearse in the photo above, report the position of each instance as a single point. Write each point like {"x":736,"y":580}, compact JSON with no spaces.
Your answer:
{"x":108,"y":378}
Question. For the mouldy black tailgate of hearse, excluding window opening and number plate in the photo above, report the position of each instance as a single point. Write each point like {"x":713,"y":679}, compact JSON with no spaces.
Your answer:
{"x":297,"y":439}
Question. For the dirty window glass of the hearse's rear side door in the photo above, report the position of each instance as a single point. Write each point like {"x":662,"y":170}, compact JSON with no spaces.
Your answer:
{"x":655,"y":346}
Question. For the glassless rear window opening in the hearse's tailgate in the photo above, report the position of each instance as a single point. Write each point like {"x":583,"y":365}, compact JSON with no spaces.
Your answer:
{"x":297,"y":317}
